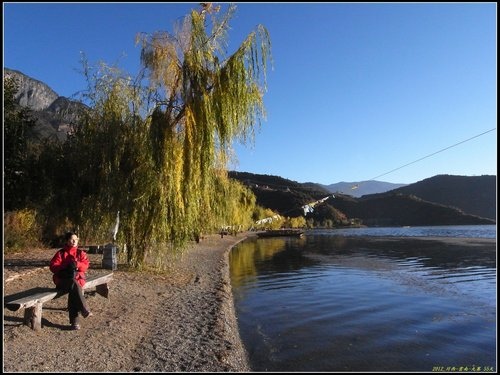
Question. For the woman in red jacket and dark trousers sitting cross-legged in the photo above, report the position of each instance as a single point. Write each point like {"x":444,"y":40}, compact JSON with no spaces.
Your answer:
{"x":69,"y":265}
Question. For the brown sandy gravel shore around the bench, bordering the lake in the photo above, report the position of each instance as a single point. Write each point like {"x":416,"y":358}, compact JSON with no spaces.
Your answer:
{"x":182,"y":320}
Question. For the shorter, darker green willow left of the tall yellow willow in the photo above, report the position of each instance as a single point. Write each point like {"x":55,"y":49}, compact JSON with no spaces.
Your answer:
{"x":109,"y":154}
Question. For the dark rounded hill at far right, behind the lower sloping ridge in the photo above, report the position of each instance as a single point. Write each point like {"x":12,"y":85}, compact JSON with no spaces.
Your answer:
{"x":475,"y":195}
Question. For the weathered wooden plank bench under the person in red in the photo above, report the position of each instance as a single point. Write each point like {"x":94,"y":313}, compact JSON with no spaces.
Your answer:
{"x":32,"y":300}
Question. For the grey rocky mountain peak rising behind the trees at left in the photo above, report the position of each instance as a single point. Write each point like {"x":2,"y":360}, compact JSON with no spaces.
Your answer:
{"x":54,"y":114}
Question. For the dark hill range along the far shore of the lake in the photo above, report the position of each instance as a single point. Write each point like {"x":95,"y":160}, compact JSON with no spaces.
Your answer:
{"x":392,"y":208}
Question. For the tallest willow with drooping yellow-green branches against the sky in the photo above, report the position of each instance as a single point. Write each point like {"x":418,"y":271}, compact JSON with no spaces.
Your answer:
{"x":205,"y":100}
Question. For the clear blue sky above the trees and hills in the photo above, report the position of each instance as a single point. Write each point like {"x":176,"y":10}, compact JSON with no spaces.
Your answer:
{"x":356,"y":90}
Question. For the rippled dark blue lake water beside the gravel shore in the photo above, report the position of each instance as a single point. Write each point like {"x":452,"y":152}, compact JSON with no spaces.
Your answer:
{"x":364,"y":300}
